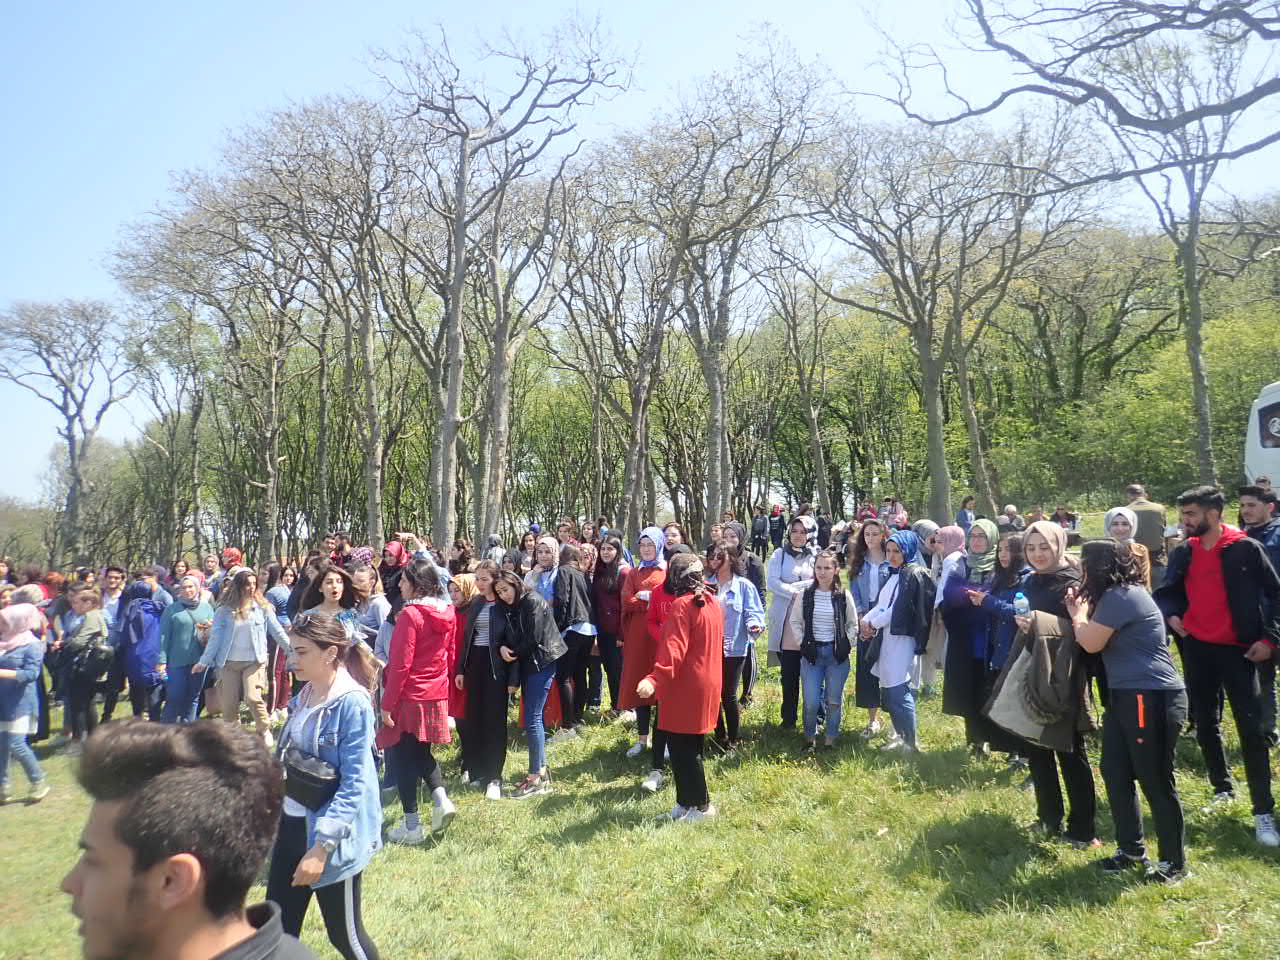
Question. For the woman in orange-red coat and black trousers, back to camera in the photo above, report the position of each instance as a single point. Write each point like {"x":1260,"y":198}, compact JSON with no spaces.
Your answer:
{"x":687,"y":680}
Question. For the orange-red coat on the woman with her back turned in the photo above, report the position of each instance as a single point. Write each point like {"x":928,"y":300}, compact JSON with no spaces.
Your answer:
{"x":688,"y":673}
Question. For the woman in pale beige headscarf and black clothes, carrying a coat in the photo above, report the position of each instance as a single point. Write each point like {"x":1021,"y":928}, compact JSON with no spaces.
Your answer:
{"x":1045,"y":589}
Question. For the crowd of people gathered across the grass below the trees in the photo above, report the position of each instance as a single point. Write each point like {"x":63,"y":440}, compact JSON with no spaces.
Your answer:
{"x":355,"y":668}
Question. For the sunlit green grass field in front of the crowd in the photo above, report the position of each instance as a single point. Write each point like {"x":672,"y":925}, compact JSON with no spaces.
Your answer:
{"x":852,"y":854}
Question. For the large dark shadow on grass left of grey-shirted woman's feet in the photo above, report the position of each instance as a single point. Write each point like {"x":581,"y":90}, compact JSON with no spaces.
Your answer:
{"x":985,"y":863}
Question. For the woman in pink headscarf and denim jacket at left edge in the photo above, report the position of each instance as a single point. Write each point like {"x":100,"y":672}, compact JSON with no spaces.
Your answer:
{"x":22,"y":656}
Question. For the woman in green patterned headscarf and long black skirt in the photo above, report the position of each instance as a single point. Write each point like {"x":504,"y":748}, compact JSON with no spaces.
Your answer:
{"x":972,"y":633}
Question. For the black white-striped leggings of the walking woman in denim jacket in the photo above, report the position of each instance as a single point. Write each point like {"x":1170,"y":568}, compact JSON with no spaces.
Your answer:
{"x":340,"y":903}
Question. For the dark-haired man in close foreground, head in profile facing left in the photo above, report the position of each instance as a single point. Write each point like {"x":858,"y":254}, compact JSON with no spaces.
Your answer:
{"x":182,"y":821}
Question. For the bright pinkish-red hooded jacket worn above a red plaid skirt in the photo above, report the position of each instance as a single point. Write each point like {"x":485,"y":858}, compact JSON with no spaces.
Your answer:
{"x":418,"y":662}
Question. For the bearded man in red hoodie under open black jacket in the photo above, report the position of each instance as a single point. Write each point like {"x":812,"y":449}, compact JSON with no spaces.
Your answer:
{"x":1222,"y":597}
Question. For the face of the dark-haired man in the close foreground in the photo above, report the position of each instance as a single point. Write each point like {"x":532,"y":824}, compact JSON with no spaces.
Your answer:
{"x":109,"y":900}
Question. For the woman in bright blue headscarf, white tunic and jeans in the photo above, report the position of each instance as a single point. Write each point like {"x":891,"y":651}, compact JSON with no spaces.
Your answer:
{"x":903,"y":614}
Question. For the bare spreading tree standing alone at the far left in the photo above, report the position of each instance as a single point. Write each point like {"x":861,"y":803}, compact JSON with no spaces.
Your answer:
{"x":75,"y":356}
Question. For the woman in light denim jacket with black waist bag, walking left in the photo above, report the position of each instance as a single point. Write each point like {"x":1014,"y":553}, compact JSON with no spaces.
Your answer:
{"x":327,"y":849}
